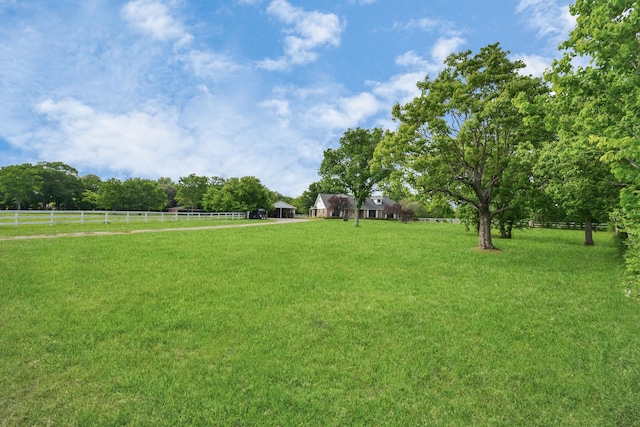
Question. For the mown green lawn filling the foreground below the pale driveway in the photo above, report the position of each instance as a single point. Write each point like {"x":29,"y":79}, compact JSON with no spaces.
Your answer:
{"x":317,"y":323}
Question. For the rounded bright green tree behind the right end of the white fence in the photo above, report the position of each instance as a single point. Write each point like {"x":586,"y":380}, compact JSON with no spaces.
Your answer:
{"x":238,"y":195}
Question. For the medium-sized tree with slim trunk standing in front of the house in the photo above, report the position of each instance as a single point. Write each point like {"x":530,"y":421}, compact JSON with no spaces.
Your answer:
{"x":350,"y":164}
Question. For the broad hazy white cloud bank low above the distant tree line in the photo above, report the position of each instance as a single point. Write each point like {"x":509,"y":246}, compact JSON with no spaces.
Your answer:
{"x":210,"y":134}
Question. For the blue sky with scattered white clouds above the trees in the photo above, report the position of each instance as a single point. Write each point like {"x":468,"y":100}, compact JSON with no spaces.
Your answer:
{"x":151,"y":88}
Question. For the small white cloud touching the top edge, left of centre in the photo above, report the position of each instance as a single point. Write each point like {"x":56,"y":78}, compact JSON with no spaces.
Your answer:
{"x":153,"y":18}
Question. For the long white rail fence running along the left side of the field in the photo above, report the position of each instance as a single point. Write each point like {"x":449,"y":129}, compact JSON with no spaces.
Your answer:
{"x":28,"y":217}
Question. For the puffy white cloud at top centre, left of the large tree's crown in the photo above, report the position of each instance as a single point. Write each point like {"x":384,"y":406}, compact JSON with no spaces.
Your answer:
{"x":307,"y":32}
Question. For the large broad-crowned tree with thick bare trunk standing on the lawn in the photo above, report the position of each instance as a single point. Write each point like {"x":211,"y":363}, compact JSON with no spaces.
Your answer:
{"x":468,"y":130}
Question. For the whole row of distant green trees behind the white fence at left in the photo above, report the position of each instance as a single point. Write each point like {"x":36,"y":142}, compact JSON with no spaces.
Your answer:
{"x":56,"y":185}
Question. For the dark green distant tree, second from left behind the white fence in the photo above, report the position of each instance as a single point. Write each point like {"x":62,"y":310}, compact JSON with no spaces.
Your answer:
{"x":61,"y":185}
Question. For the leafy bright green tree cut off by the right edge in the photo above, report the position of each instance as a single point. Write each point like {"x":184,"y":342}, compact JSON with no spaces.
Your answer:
{"x":600,"y":75}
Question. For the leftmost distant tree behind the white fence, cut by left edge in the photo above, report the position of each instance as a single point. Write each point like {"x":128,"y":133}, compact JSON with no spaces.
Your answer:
{"x":19,"y":183}
